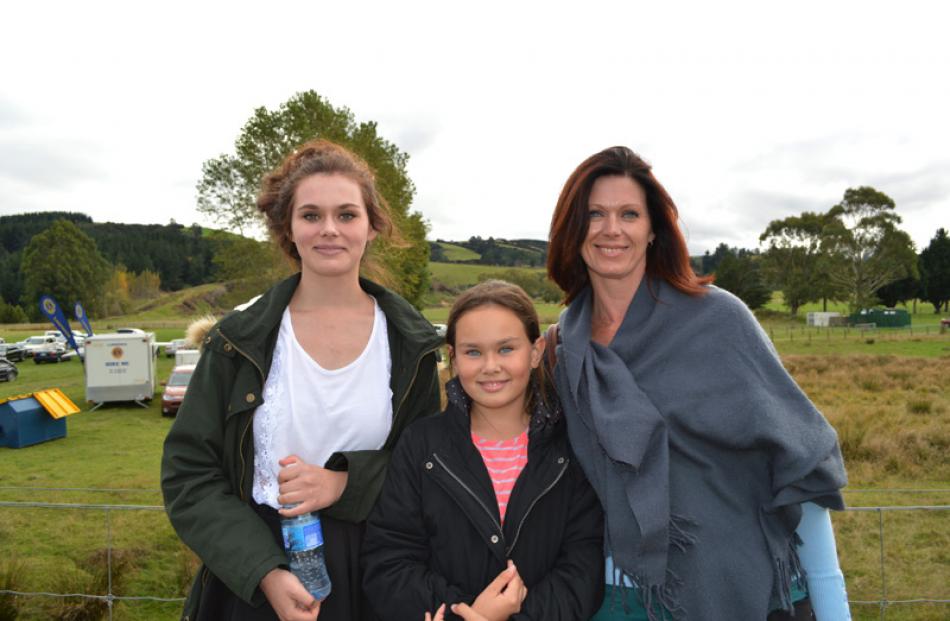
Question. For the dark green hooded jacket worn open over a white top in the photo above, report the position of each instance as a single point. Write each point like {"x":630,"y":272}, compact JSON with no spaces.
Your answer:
{"x":208,"y":458}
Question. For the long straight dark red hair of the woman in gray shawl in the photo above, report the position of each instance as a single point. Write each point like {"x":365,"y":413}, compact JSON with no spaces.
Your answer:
{"x":667,"y":257}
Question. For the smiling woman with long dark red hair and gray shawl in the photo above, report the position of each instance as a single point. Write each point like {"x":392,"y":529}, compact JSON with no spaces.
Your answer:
{"x":715,"y":471}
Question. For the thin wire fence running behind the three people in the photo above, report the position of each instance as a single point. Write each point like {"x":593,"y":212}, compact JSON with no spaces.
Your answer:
{"x":883,"y":603}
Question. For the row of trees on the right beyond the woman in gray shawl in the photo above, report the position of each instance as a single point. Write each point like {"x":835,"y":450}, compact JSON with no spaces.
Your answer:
{"x":854,"y":252}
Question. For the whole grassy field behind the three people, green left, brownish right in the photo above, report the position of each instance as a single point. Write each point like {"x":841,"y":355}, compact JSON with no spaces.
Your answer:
{"x":886,"y":392}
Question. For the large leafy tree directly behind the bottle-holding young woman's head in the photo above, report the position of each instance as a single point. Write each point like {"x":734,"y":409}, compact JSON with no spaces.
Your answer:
{"x":230,"y":182}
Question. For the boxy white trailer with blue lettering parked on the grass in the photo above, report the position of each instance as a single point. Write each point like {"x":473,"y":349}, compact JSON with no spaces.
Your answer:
{"x":120,"y":367}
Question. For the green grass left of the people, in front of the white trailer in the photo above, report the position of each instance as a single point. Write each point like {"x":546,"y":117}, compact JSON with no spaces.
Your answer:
{"x":117,"y":446}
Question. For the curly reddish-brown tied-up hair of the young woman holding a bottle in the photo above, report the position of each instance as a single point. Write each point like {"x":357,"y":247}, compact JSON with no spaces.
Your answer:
{"x":322,"y":157}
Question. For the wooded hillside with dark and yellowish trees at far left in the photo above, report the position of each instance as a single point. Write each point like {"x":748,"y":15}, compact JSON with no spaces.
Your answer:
{"x":105,"y":266}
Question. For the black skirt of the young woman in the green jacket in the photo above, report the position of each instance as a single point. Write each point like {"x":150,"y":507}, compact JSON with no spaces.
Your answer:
{"x":342,"y":542}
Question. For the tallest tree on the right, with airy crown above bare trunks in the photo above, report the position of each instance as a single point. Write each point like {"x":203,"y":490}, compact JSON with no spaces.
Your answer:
{"x":867,"y":248}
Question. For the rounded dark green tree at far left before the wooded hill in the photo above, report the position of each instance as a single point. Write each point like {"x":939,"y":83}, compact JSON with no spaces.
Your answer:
{"x":62,"y":261}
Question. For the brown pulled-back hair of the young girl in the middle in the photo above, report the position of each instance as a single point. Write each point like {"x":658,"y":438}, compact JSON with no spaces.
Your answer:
{"x":512,"y":297}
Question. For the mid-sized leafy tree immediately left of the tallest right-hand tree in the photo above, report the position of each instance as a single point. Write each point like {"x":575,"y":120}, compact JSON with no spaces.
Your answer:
{"x":794,"y":261}
